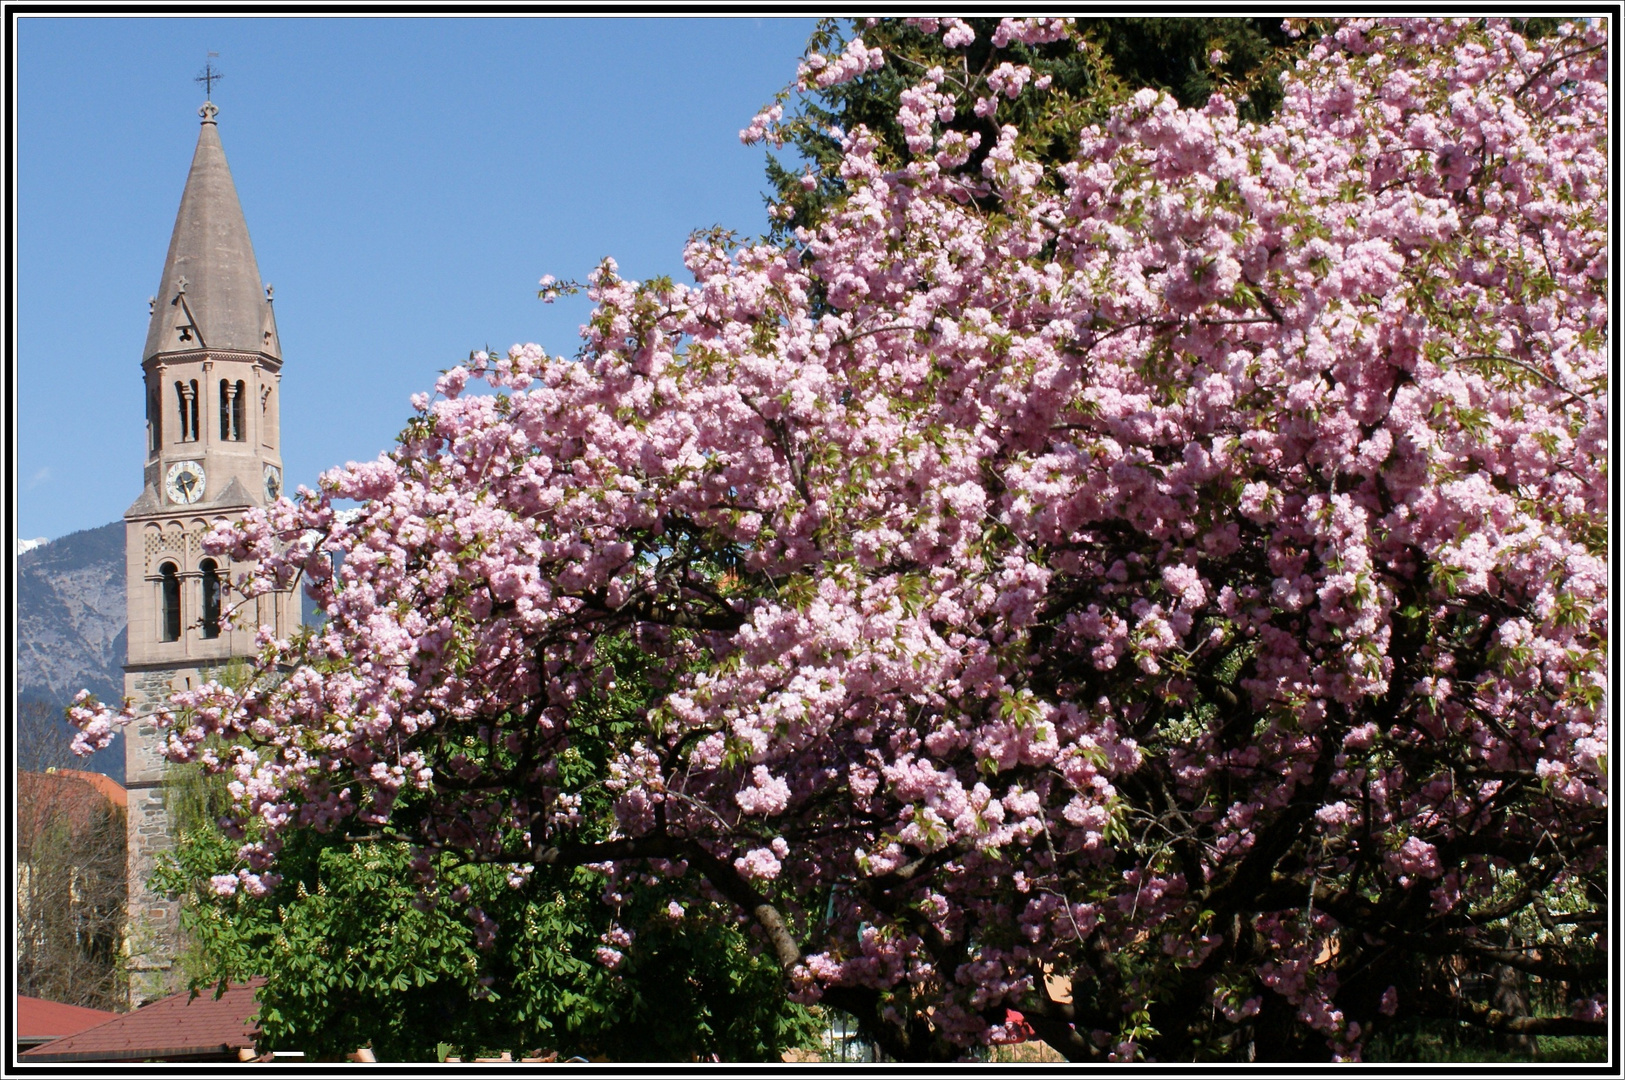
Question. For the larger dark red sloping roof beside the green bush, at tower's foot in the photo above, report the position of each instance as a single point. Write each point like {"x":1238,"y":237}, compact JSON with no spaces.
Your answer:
{"x":173,"y":1027}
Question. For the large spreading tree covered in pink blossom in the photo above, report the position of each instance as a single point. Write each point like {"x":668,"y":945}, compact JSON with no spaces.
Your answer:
{"x":1163,"y":595}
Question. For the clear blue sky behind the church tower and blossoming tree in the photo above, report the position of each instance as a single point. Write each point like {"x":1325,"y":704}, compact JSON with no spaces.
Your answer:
{"x":407,"y":181}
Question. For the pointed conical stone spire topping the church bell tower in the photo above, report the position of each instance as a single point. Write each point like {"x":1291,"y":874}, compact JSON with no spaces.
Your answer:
{"x":210,"y":296}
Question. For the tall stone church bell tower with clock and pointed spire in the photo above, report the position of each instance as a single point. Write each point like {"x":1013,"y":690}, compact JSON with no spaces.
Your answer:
{"x":212,"y":373}
